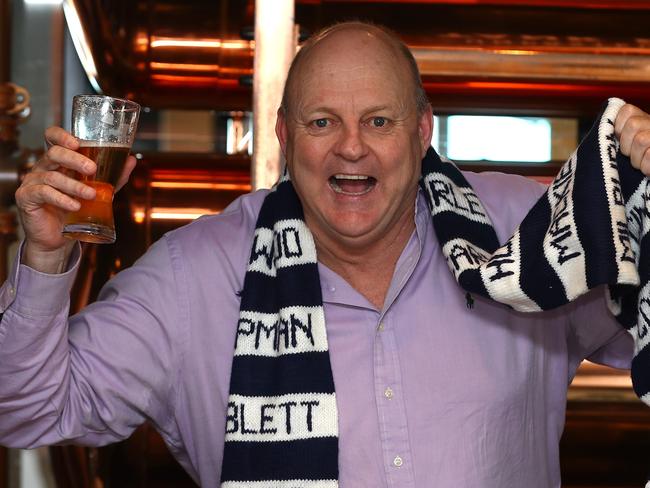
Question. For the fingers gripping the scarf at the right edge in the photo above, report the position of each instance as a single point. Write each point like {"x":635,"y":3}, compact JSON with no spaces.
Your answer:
{"x":632,"y":127}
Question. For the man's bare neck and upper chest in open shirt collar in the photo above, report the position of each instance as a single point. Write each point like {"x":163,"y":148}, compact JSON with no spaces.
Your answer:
{"x":367,"y":267}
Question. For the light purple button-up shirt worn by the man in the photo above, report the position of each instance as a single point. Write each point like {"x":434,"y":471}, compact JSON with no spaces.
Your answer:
{"x":429,"y":392}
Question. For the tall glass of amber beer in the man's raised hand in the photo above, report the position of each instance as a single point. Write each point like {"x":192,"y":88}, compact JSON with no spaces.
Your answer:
{"x":105,"y":127}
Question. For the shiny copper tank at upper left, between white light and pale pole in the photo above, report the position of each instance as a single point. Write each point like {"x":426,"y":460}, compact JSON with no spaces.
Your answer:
{"x":194,"y":54}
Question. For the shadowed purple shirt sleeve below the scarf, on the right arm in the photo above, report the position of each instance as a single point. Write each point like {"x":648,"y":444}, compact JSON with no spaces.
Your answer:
{"x":595,"y":334}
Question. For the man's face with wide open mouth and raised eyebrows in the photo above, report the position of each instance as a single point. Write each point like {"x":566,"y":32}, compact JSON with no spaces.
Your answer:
{"x":353,"y":140}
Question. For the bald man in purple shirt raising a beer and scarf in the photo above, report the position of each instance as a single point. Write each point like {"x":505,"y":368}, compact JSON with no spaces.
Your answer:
{"x":429,"y":393}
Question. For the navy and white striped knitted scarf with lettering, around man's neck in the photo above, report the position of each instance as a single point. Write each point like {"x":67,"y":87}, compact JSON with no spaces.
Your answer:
{"x":589,"y":229}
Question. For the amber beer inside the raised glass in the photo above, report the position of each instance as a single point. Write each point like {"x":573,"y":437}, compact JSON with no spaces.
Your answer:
{"x":93,"y":222}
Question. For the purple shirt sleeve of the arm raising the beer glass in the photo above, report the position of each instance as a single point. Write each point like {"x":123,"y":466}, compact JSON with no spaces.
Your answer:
{"x":92,"y":378}
